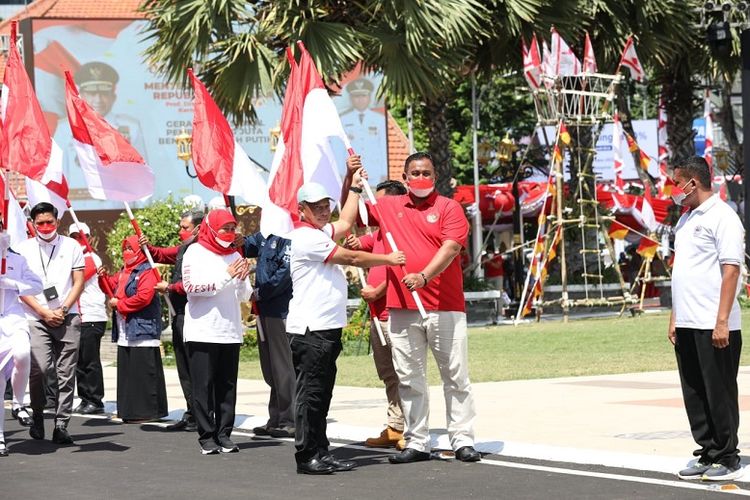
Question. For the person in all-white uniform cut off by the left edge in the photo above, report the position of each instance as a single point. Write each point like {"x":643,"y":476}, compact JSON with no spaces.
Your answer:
{"x":15,"y":349}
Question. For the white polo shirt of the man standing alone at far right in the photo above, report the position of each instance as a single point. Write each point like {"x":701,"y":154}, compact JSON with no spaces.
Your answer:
{"x":705,"y":238}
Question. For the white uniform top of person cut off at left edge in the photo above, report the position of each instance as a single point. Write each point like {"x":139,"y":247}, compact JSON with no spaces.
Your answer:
{"x":19,"y":279}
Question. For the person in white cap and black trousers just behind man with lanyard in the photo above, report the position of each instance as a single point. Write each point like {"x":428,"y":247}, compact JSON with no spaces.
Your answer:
{"x":93,"y":308}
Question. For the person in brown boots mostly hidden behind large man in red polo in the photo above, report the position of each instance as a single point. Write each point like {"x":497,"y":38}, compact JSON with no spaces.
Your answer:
{"x":374,"y":294}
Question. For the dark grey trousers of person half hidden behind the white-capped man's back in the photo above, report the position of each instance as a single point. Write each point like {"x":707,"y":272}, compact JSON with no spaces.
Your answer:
{"x":278,"y":372}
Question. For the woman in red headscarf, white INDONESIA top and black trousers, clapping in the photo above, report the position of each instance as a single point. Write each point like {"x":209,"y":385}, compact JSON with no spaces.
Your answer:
{"x":214,"y":276}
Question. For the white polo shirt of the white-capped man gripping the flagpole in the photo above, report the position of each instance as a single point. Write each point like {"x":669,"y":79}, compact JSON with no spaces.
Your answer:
{"x":319,"y":288}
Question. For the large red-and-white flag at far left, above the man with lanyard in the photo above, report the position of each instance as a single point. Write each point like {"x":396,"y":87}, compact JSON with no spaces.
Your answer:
{"x":29,"y":147}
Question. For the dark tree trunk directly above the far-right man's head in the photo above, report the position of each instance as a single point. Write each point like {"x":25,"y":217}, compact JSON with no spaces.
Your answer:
{"x":679,"y":100}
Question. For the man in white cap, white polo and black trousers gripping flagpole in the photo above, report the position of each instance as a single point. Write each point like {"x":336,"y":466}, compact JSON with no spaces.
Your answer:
{"x":317,"y":315}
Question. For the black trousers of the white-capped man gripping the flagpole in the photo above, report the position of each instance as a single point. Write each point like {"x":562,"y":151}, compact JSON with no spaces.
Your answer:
{"x":314,"y":355}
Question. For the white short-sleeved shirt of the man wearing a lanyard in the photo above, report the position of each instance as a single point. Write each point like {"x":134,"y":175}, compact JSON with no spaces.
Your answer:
{"x":54,"y":262}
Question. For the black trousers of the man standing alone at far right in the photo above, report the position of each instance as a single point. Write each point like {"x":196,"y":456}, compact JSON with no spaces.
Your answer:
{"x":709,"y":388}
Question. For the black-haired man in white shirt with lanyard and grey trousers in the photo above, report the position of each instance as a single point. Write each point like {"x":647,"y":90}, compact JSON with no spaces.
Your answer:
{"x":53,"y":317}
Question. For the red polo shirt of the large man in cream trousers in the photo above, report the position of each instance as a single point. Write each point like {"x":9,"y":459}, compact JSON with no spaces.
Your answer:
{"x":420,"y":231}
